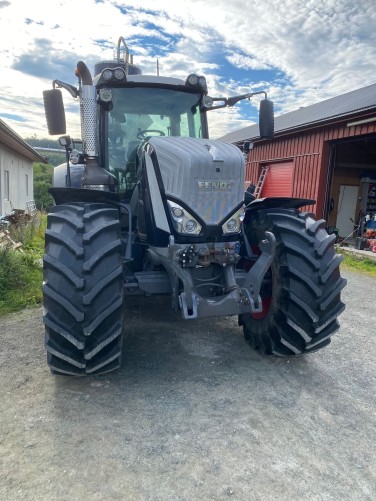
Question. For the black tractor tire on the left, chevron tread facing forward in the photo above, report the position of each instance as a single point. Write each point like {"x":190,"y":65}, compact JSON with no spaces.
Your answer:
{"x":83,"y":289}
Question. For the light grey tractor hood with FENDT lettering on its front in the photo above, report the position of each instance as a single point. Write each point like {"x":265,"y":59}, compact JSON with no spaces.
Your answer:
{"x":205,"y":175}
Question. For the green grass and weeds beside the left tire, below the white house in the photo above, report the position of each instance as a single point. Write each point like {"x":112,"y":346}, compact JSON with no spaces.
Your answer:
{"x":21,"y":274}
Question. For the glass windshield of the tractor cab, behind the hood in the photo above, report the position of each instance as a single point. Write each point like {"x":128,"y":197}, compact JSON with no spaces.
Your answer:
{"x":140,"y":113}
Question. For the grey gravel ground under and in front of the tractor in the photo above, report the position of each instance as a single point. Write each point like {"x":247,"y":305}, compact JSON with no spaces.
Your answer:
{"x":193,"y":414}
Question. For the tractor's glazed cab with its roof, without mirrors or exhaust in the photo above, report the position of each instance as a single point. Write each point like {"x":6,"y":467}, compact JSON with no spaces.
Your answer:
{"x":142,"y":108}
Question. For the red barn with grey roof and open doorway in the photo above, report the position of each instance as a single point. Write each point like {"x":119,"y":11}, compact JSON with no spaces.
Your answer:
{"x":325,"y":152}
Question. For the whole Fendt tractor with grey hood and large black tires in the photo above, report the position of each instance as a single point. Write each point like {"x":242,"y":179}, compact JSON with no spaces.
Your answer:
{"x":147,"y":204}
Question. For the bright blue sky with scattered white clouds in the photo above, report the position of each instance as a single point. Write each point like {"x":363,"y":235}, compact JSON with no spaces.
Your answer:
{"x":299,"y":51}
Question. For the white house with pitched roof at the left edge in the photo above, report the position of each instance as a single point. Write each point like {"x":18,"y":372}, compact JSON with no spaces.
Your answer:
{"x":16,"y":170}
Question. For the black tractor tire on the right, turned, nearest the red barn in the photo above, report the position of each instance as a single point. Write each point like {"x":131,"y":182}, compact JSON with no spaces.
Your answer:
{"x":301,"y":291}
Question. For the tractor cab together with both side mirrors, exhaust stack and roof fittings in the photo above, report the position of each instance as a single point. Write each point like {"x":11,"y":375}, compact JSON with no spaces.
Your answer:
{"x":121,"y":109}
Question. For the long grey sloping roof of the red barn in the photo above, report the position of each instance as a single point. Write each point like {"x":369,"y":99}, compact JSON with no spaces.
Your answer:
{"x":342,"y":106}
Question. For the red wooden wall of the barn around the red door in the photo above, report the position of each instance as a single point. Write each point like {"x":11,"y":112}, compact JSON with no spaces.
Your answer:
{"x":309,"y":151}
